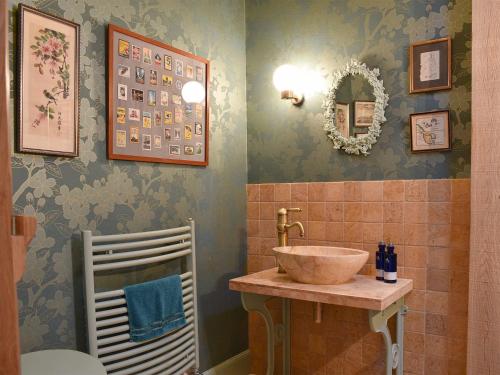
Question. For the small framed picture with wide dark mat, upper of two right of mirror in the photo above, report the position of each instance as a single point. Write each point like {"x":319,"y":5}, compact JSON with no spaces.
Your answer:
{"x":430,"y":65}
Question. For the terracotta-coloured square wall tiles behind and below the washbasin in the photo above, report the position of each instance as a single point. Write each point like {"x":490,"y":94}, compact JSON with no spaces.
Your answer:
{"x":429,"y":222}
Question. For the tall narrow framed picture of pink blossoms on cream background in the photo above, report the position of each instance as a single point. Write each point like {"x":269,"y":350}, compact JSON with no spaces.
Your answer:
{"x":48,"y":97}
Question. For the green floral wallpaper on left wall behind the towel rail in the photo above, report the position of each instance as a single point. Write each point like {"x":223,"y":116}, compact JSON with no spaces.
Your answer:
{"x":91,"y":192}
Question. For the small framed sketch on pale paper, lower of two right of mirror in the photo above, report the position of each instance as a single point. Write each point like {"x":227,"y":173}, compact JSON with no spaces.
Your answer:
{"x":430,"y":131}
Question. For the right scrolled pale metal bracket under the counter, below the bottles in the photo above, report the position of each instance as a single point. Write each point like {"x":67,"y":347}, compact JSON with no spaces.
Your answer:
{"x":378,"y":323}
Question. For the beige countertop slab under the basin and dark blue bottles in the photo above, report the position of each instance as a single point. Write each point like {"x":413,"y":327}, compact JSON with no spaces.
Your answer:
{"x":363,"y":291}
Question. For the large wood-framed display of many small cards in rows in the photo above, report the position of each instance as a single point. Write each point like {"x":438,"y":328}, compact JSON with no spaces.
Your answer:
{"x":148,"y":118}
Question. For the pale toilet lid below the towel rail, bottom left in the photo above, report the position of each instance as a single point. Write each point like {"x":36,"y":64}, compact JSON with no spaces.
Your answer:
{"x":60,"y":362}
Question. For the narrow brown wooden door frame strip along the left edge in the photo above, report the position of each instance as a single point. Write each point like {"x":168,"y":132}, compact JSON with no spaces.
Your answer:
{"x":9,"y":327}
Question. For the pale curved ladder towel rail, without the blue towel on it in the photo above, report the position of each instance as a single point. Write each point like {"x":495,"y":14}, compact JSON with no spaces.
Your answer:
{"x":107,"y":319}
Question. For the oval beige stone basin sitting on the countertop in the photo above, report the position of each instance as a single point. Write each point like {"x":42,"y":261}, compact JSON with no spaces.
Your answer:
{"x":320,"y":265}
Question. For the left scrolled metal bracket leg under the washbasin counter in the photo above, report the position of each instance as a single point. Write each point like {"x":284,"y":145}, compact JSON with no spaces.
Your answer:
{"x":257,"y":302}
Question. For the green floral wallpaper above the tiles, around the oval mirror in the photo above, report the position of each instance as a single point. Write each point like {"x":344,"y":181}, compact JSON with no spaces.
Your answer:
{"x":287,"y":143}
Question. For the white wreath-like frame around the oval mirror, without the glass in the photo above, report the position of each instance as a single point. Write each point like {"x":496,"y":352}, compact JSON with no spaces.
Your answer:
{"x":352,"y":145}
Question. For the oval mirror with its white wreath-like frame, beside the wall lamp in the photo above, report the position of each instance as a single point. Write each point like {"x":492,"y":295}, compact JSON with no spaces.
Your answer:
{"x":354,"y":108}
